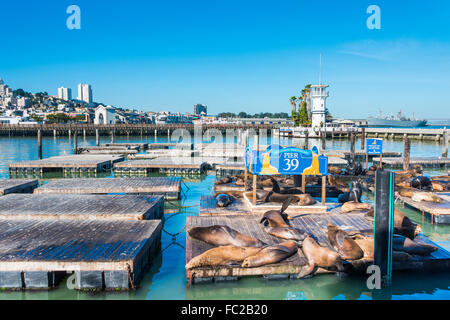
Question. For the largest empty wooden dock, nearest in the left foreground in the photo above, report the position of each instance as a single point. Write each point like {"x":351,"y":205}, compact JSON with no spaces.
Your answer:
{"x":36,"y":254}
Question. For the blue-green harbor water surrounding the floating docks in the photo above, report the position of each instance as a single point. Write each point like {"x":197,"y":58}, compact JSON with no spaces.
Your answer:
{"x":166,"y":279}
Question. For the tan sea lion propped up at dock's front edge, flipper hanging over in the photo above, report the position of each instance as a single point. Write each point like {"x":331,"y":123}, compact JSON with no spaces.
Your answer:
{"x":318,"y":256}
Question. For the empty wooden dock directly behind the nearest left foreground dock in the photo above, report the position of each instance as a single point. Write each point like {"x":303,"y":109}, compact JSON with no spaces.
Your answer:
{"x":81,"y":207}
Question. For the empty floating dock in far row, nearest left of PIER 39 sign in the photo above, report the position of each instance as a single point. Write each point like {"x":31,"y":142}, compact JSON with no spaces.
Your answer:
{"x":163,"y":165}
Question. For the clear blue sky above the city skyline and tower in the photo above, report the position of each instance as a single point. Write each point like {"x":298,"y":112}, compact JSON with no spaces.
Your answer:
{"x":234,"y":55}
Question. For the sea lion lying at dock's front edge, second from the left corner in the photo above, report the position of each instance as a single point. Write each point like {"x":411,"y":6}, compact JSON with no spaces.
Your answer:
{"x":271,"y":254}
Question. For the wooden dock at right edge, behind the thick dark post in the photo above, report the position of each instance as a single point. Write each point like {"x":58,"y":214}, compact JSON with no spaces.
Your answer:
{"x":439,"y":213}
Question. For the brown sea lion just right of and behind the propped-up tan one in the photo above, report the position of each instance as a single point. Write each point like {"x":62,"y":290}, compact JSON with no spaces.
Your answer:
{"x":347,"y":248}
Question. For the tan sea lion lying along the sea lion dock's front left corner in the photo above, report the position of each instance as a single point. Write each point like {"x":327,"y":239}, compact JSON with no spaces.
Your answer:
{"x":222,"y":256}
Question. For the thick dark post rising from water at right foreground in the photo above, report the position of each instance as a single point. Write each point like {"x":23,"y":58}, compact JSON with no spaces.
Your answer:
{"x":384,"y":224}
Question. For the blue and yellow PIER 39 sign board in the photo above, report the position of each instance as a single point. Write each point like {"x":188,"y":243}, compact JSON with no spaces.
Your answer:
{"x":277,"y":160}
